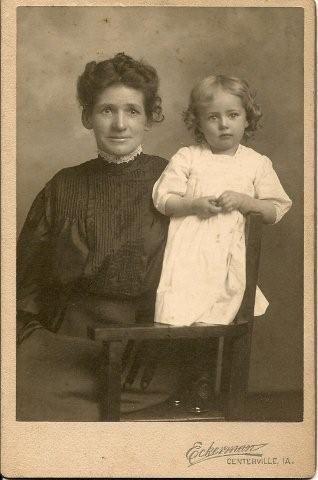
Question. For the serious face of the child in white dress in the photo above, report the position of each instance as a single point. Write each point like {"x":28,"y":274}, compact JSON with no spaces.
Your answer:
{"x":223,"y":121}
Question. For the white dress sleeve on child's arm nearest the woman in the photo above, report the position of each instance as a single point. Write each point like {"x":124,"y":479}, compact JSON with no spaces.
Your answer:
{"x":173,"y":180}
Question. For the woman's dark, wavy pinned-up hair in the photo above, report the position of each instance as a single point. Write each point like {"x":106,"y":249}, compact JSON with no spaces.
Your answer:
{"x":124,"y":70}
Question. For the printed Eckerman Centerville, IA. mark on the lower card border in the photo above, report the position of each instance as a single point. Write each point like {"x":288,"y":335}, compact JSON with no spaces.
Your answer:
{"x":246,"y":453}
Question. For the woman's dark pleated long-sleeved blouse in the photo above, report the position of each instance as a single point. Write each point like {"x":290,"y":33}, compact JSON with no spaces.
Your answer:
{"x":93,"y":230}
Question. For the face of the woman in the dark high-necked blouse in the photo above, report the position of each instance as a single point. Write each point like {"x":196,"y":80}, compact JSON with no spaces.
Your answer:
{"x":118,"y":119}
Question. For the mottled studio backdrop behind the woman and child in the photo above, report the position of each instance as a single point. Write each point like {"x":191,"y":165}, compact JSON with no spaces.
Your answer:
{"x":262,"y":45}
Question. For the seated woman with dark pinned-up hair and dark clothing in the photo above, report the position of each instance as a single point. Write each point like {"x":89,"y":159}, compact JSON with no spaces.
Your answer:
{"x":91,"y":249}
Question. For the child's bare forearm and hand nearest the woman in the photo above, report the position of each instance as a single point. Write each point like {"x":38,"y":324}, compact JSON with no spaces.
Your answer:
{"x":203,"y":207}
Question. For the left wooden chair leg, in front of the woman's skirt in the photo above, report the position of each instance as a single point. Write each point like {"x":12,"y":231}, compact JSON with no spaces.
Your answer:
{"x":111,"y":381}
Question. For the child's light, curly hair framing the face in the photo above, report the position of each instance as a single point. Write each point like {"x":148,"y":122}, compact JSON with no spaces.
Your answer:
{"x":203,"y":91}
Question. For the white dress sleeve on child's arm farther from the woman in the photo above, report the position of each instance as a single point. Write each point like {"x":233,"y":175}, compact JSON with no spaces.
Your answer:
{"x":268,"y":187}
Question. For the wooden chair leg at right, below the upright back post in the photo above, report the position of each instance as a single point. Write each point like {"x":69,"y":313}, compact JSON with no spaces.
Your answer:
{"x":235,"y":379}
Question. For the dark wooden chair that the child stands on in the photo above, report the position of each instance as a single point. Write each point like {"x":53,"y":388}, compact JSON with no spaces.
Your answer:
{"x":236,"y":342}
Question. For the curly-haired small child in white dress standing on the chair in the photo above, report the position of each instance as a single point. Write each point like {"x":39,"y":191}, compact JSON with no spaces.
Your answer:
{"x":207,"y":189}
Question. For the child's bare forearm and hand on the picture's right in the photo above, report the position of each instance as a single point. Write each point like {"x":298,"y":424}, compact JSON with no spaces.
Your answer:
{"x":245,"y":204}
